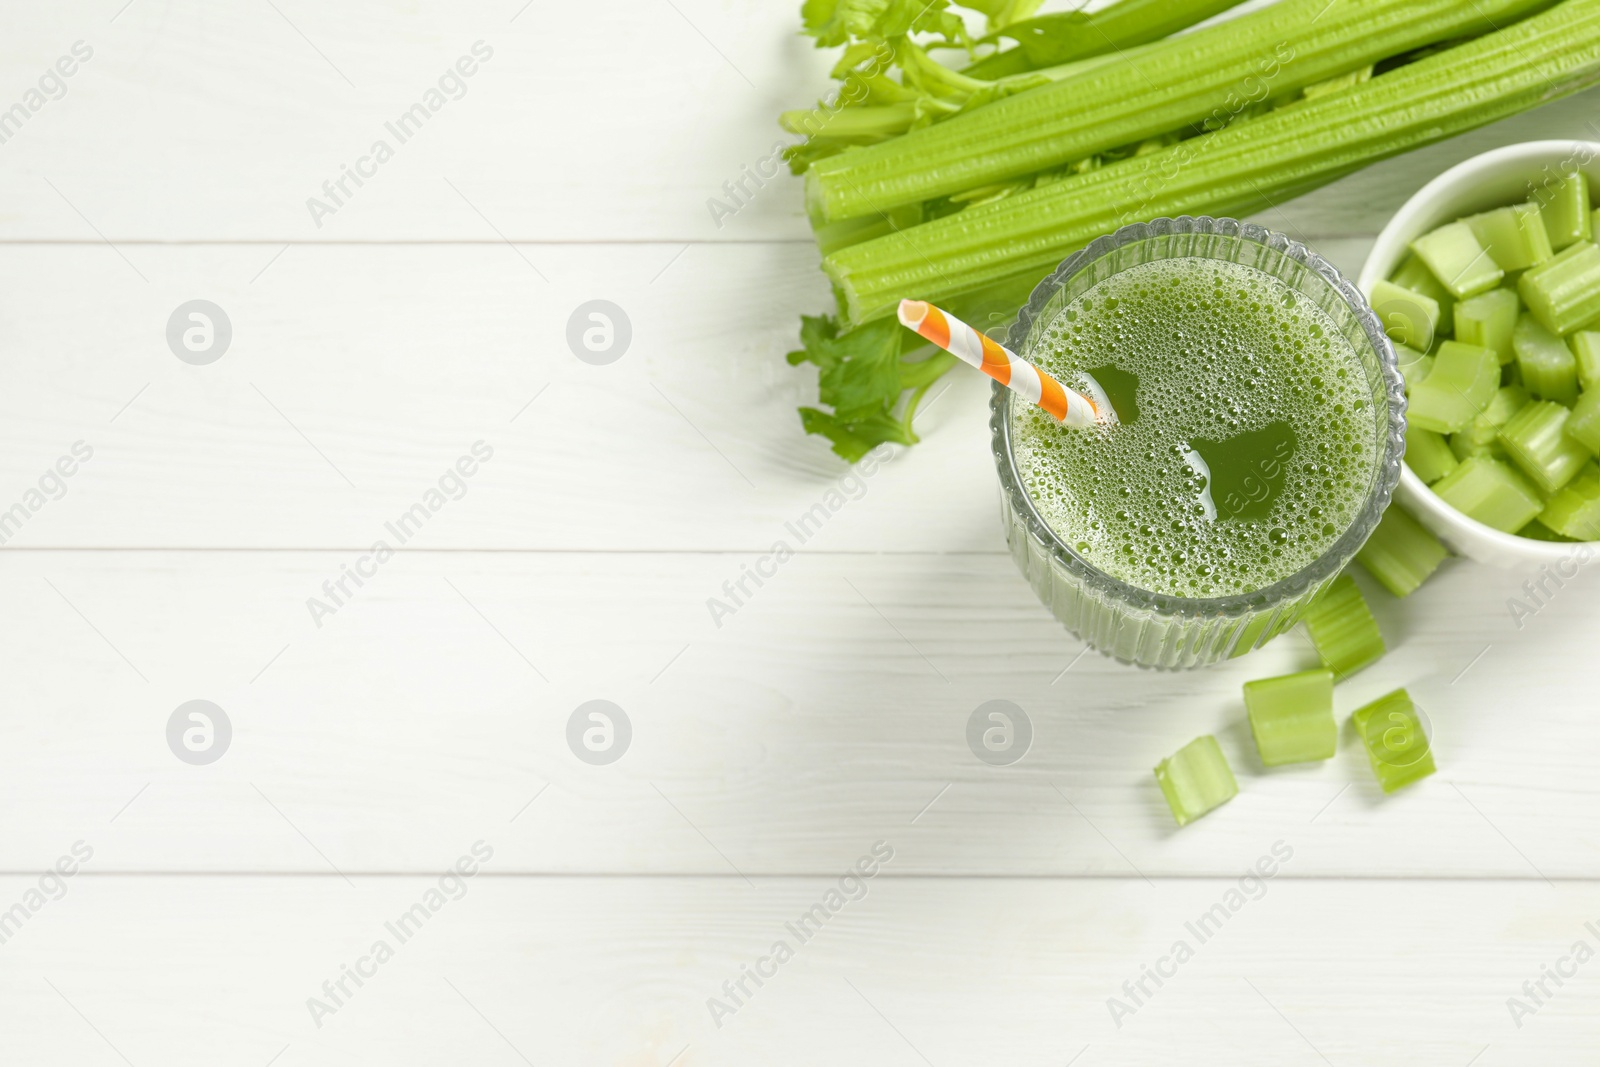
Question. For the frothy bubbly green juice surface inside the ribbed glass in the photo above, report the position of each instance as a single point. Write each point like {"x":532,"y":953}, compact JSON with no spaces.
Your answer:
{"x":1246,"y":442}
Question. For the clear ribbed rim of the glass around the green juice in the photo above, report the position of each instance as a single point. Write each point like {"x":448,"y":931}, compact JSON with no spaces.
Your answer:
{"x":1316,"y":573}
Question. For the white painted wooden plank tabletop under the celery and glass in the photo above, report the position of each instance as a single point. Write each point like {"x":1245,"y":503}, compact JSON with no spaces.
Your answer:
{"x":426,"y":716}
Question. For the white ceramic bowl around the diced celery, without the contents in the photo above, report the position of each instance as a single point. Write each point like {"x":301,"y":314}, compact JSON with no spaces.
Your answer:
{"x":1482,"y":183}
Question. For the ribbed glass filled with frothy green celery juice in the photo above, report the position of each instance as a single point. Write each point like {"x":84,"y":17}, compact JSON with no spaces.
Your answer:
{"x":1258,"y":439}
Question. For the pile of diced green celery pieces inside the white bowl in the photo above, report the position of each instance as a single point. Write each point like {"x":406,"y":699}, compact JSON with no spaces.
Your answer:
{"x":1505,"y":393}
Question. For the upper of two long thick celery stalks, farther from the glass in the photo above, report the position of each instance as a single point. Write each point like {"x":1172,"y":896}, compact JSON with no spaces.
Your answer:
{"x":1202,"y":79}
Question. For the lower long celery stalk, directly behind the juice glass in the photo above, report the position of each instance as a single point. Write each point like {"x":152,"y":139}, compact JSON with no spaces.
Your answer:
{"x":994,"y":254}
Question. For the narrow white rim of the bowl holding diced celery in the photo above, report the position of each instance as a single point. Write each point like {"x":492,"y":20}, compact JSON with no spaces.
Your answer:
{"x":1415,"y":492}
